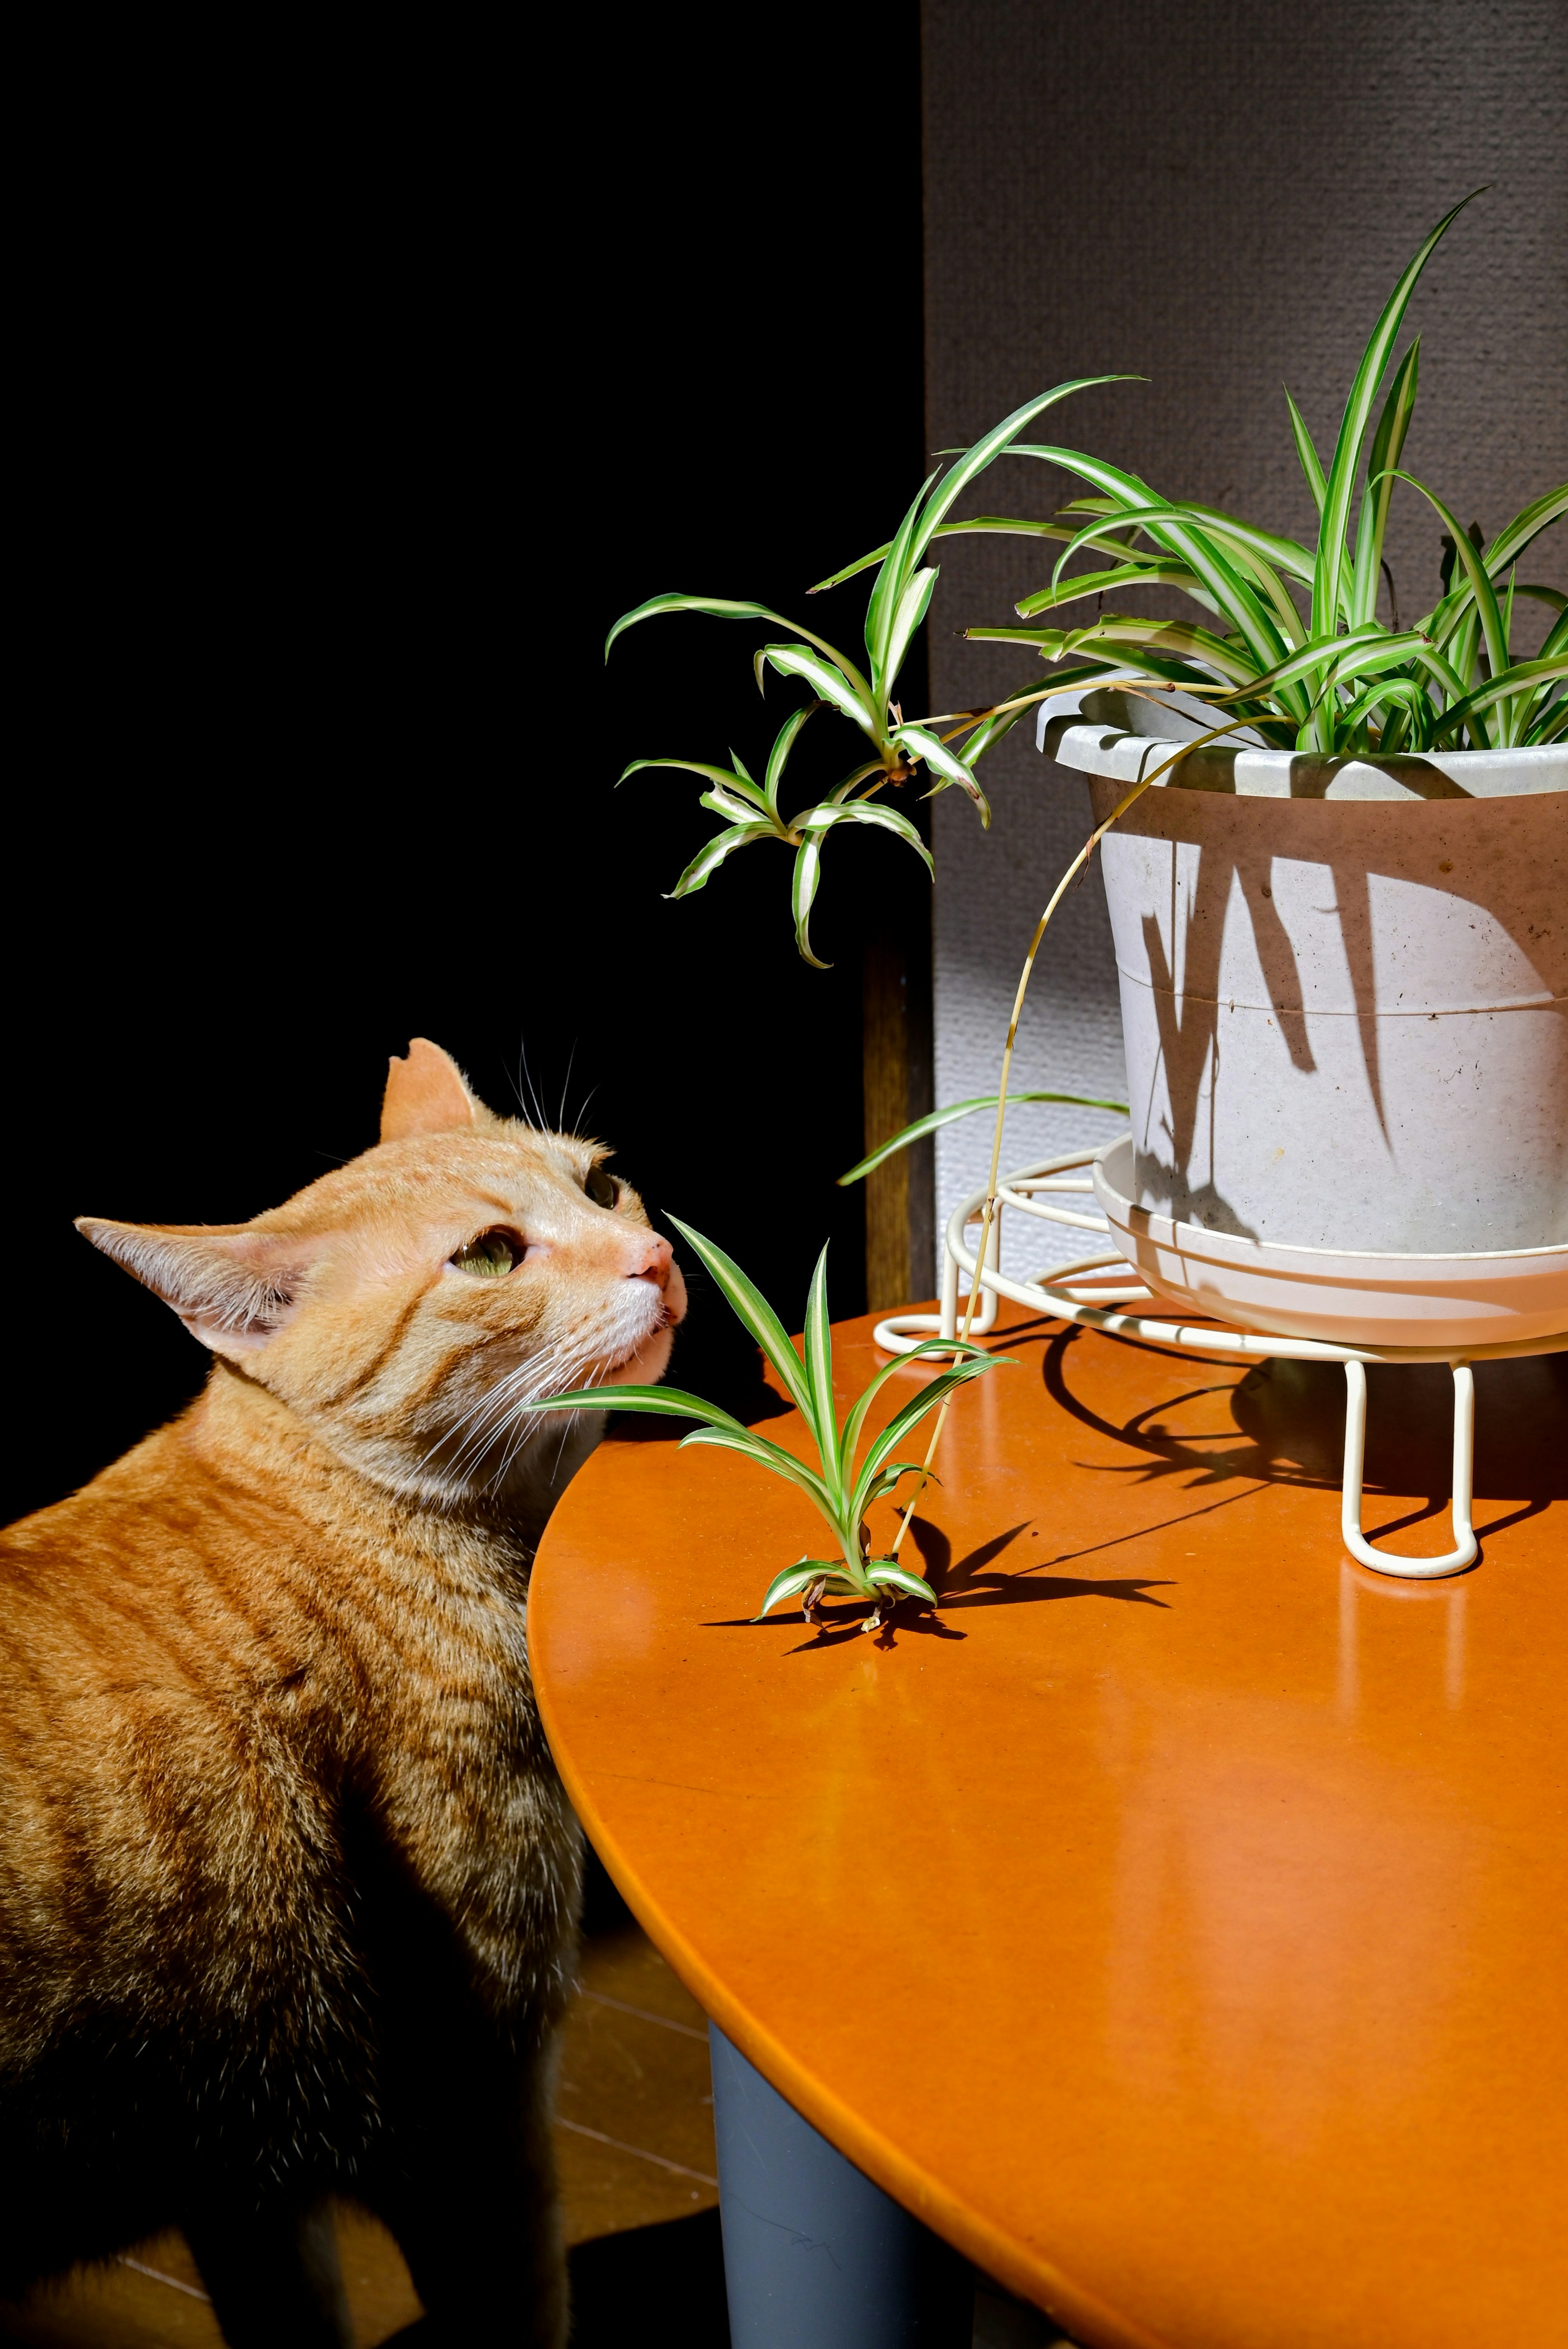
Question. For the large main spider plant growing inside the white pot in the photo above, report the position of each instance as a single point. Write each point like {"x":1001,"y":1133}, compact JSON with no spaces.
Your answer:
{"x":1325,"y":675}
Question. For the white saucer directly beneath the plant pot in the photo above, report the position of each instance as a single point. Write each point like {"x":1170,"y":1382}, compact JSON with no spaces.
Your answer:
{"x":1344,"y":1298}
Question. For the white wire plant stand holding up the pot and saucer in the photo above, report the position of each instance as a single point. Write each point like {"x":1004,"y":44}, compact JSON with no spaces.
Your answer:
{"x":1109,"y":1293}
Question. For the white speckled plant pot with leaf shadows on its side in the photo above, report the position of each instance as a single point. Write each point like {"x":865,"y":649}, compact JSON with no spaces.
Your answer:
{"x":1344,"y":988}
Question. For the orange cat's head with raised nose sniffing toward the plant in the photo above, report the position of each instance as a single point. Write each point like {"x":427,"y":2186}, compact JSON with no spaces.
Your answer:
{"x":414,"y":1303}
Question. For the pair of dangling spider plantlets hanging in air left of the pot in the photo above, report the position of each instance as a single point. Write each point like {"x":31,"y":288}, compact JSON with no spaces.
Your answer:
{"x":893,"y":748}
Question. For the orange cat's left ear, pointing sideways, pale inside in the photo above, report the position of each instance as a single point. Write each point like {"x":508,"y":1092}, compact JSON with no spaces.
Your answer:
{"x":231,"y":1286}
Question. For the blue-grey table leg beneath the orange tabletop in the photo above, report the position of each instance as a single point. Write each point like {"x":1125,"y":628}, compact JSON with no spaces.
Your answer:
{"x":813,"y":2252}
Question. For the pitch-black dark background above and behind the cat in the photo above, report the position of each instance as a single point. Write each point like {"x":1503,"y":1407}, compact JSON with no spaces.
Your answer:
{"x":363,"y":396}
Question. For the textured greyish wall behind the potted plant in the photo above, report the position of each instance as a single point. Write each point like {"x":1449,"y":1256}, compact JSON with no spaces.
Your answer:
{"x":1217,"y":196}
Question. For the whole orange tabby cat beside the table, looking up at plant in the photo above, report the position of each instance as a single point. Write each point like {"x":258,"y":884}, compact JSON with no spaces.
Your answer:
{"x":288,"y":1880}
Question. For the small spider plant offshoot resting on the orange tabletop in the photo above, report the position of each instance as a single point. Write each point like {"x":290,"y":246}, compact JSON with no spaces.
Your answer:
{"x":837,"y":1488}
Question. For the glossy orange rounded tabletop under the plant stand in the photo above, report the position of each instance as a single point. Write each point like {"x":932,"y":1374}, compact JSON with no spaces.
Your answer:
{"x":1180,"y":1918}
